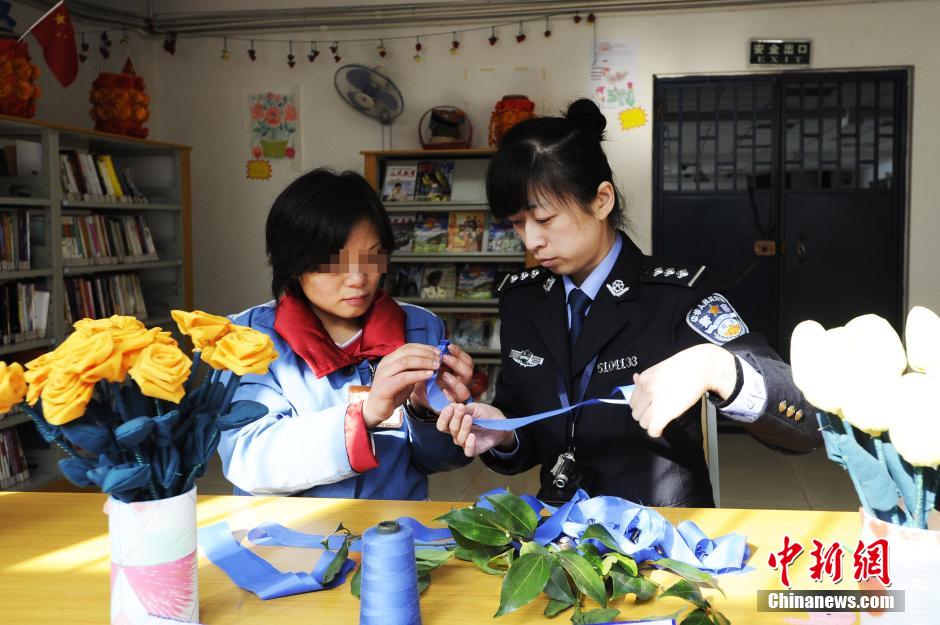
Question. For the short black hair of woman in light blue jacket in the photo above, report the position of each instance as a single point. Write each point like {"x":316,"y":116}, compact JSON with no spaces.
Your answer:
{"x":311,"y":220}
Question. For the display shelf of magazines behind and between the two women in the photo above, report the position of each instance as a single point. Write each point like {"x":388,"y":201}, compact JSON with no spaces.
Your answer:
{"x":450,"y":253}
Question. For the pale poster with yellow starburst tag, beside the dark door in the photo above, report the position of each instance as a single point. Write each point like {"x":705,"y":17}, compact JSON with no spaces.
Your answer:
{"x":613,"y":79}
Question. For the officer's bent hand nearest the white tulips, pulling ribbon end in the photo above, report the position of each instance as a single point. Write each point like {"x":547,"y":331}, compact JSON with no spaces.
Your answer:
{"x":665,"y":391}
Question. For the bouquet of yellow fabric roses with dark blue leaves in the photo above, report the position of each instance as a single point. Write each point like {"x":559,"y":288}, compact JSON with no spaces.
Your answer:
{"x":121,"y":400}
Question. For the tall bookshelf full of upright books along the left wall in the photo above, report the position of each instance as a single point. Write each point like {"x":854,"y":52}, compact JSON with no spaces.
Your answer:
{"x":91,"y":224}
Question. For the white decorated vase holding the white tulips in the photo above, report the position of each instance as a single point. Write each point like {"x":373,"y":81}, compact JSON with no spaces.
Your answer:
{"x":913,"y":556}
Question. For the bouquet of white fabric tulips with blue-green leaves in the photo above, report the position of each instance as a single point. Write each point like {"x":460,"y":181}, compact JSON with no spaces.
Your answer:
{"x":878,"y":407}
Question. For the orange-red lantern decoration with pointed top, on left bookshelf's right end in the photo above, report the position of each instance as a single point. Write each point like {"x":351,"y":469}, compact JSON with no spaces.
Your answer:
{"x":120,"y":104}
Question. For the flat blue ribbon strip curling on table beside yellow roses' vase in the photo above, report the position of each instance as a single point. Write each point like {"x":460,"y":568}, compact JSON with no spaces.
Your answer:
{"x":252,"y":572}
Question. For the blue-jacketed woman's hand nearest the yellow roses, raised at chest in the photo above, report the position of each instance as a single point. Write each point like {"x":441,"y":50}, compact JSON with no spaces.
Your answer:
{"x":395,"y":378}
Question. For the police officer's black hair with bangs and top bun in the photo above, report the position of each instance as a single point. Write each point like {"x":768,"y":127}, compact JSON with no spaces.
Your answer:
{"x":557,"y":157}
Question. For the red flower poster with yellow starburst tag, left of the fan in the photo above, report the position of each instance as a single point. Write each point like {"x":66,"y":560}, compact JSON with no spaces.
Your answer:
{"x":274,"y":123}
